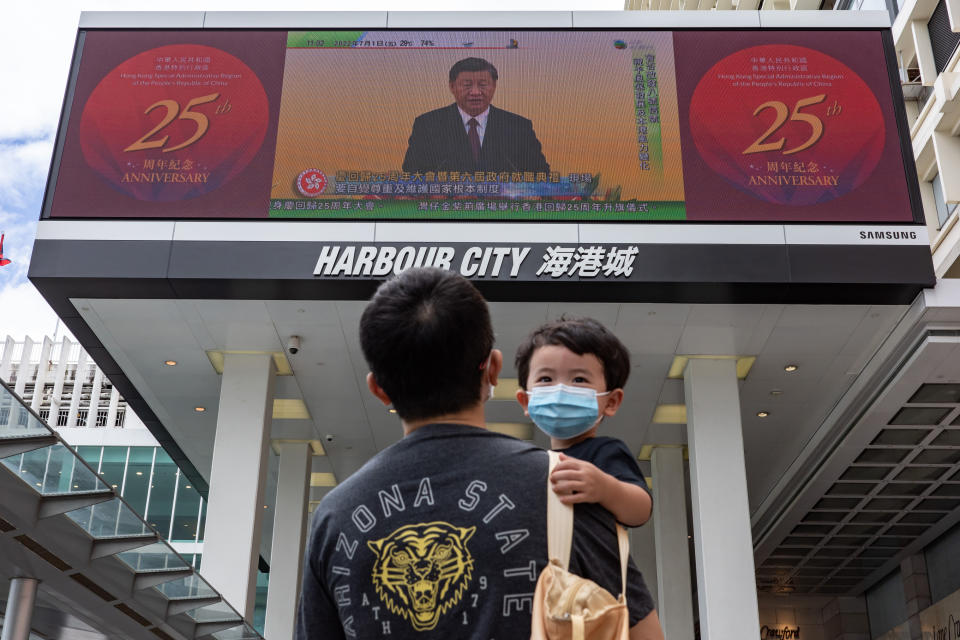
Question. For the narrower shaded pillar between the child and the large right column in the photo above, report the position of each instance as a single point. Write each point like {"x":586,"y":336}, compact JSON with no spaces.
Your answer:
{"x":675,"y":603}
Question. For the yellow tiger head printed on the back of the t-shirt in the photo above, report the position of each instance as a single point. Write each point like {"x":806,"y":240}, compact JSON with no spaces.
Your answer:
{"x":422,"y":570}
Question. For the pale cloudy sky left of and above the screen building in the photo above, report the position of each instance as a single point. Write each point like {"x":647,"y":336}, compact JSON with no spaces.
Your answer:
{"x":36,"y":45}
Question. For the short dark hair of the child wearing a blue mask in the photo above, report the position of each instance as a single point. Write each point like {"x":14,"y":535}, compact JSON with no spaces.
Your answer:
{"x":580,"y":335}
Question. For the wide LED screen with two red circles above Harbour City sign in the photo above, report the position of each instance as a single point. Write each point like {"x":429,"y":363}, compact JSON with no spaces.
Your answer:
{"x":772,"y":126}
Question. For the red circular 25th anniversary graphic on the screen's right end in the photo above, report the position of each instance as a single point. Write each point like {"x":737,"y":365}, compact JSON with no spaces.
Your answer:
{"x":787,"y":124}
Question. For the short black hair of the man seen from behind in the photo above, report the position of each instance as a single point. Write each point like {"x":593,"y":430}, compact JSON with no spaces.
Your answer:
{"x":426,"y":336}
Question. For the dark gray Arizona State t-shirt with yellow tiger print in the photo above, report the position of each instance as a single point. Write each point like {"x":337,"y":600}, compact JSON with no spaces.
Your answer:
{"x":443,"y":535}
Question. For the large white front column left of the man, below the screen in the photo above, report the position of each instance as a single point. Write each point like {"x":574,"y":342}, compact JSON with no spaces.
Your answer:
{"x":231,"y":542}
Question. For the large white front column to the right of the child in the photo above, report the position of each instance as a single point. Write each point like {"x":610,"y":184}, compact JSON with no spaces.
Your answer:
{"x":726,"y":584}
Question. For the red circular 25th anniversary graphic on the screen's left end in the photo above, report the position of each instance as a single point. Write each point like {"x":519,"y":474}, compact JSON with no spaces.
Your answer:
{"x":174,"y":122}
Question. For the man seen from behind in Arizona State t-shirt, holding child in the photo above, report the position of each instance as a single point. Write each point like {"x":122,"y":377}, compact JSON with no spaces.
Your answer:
{"x":442,"y":534}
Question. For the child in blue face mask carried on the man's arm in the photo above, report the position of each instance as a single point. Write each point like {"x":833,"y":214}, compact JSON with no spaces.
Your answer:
{"x":571,"y":374}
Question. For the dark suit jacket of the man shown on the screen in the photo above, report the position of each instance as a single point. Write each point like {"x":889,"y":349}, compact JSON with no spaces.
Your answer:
{"x":439,"y":143}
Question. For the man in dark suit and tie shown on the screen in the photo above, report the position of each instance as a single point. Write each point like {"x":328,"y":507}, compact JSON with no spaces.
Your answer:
{"x":471,"y":134}
